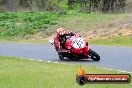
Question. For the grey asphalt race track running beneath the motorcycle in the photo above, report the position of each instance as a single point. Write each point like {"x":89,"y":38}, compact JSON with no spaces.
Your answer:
{"x":118,"y":58}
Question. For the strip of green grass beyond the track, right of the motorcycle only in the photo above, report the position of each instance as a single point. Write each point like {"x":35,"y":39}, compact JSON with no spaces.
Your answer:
{"x":114,"y":41}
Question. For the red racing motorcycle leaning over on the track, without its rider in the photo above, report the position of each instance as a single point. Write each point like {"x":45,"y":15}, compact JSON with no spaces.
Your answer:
{"x":75,"y":48}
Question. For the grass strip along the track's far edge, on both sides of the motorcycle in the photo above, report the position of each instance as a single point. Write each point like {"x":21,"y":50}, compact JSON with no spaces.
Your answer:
{"x":113,"y":41}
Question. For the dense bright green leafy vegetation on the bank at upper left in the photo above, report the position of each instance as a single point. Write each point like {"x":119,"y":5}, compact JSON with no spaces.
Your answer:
{"x":13,"y":24}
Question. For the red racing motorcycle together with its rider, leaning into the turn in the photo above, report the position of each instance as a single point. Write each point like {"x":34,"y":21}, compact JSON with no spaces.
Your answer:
{"x":72,"y":46}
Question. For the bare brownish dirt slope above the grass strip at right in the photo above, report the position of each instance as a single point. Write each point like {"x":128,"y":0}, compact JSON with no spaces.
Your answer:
{"x":117,"y":28}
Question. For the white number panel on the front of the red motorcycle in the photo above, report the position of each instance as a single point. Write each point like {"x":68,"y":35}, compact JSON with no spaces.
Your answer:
{"x":78,"y":43}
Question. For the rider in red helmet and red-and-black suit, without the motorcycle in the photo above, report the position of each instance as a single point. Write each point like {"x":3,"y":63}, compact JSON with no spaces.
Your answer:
{"x":61,"y":37}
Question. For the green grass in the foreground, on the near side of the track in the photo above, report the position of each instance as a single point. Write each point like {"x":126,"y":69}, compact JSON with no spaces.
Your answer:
{"x":22,"y":73}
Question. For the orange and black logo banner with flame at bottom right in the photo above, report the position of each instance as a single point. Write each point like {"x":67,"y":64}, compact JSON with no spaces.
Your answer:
{"x":83,"y":78}
